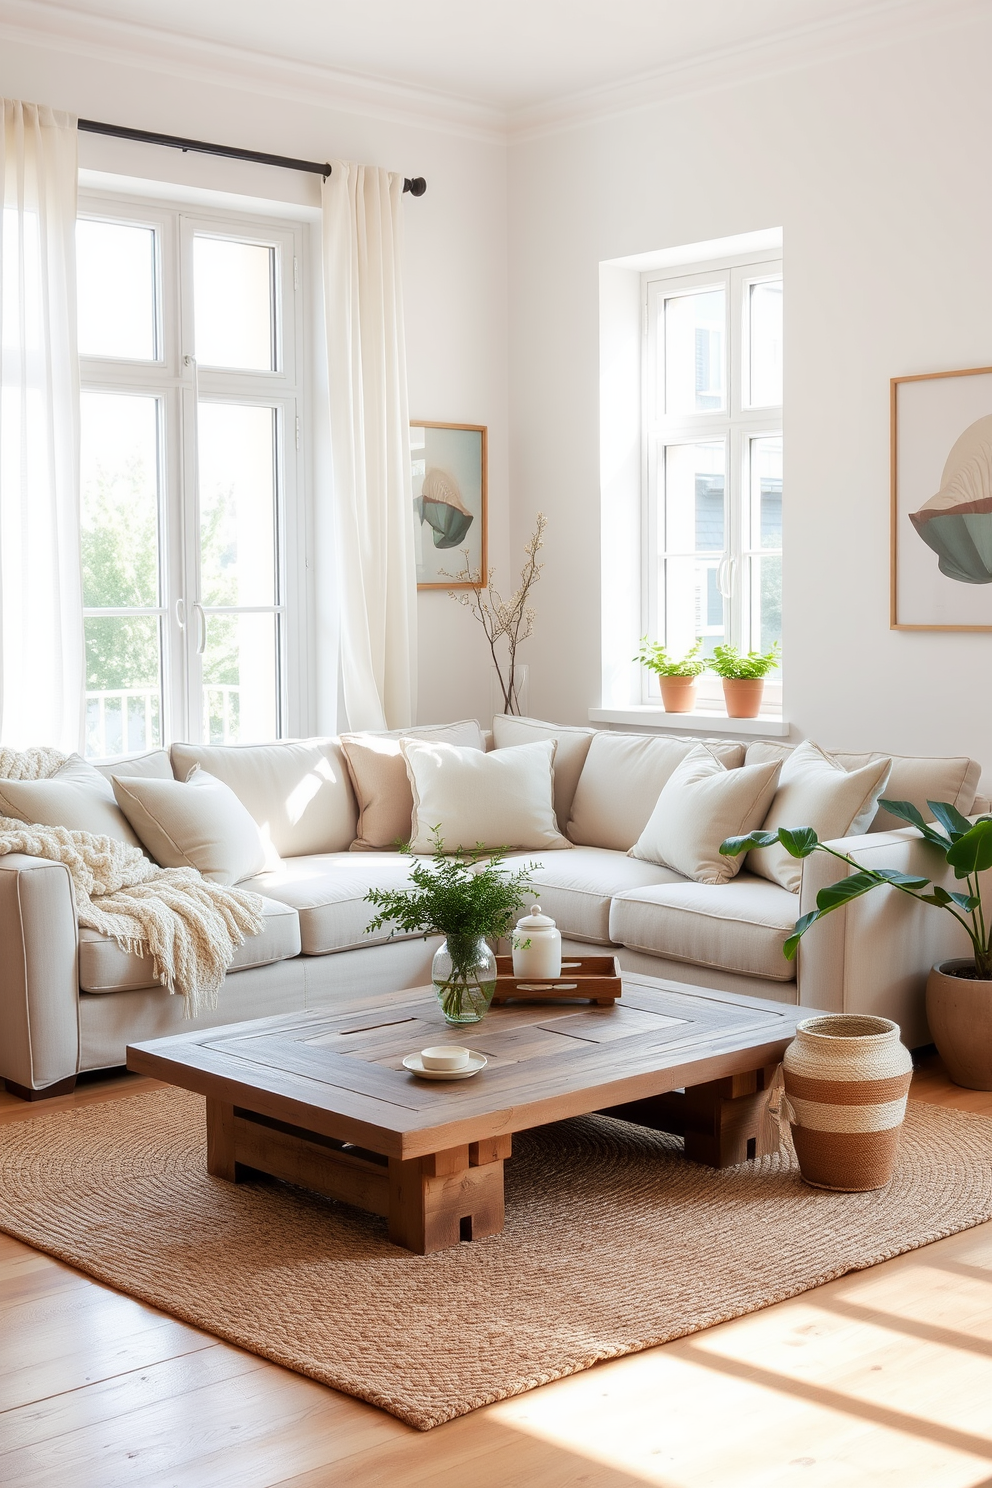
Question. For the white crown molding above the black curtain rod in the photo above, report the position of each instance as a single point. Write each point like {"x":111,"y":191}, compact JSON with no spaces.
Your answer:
{"x":39,"y":23}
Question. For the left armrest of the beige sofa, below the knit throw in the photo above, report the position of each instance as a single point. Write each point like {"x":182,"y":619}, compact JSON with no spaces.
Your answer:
{"x":39,"y":981}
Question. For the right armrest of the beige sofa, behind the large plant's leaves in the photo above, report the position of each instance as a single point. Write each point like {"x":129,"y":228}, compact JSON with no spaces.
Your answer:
{"x":874,"y":955}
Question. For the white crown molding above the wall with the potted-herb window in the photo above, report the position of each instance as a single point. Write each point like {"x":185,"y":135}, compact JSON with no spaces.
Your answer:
{"x":869,"y":28}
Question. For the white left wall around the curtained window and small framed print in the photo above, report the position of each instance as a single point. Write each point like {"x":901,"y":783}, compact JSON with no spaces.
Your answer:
{"x":456,"y":249}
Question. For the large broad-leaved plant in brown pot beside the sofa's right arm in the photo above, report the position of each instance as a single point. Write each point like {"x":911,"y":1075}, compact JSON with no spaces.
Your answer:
{"x":960,"y":990}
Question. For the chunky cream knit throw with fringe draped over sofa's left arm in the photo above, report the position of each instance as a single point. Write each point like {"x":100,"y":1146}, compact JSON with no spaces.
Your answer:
{"x":188,"y":926}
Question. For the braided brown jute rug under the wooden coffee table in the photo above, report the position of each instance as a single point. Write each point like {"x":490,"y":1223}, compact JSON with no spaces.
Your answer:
{"x":613,"y":1243}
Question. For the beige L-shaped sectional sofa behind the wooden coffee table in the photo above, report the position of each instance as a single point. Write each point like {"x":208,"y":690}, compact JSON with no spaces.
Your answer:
{"x":72,"y":1001}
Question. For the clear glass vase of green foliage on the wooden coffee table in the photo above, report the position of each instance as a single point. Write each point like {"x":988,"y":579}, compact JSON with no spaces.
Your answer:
{"x":468,"y":905}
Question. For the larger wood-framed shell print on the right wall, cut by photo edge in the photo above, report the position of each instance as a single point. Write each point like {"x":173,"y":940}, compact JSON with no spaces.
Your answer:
{"x":930,"y":417}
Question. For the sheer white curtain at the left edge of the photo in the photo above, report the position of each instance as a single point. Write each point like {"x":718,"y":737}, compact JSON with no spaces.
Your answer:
{"x":41,"y":589}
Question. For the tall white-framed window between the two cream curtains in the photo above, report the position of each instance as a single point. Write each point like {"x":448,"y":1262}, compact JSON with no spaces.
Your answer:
{"x":190,"y":474}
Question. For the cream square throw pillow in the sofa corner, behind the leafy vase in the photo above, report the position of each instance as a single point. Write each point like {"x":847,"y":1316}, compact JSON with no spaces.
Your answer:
{"x":496,"y":800}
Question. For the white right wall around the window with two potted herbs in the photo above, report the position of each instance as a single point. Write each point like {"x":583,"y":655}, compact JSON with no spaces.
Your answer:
{"x":877,"y":167}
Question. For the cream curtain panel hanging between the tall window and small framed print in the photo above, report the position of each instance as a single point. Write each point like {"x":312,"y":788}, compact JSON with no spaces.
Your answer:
{"x":371,"y":444}
